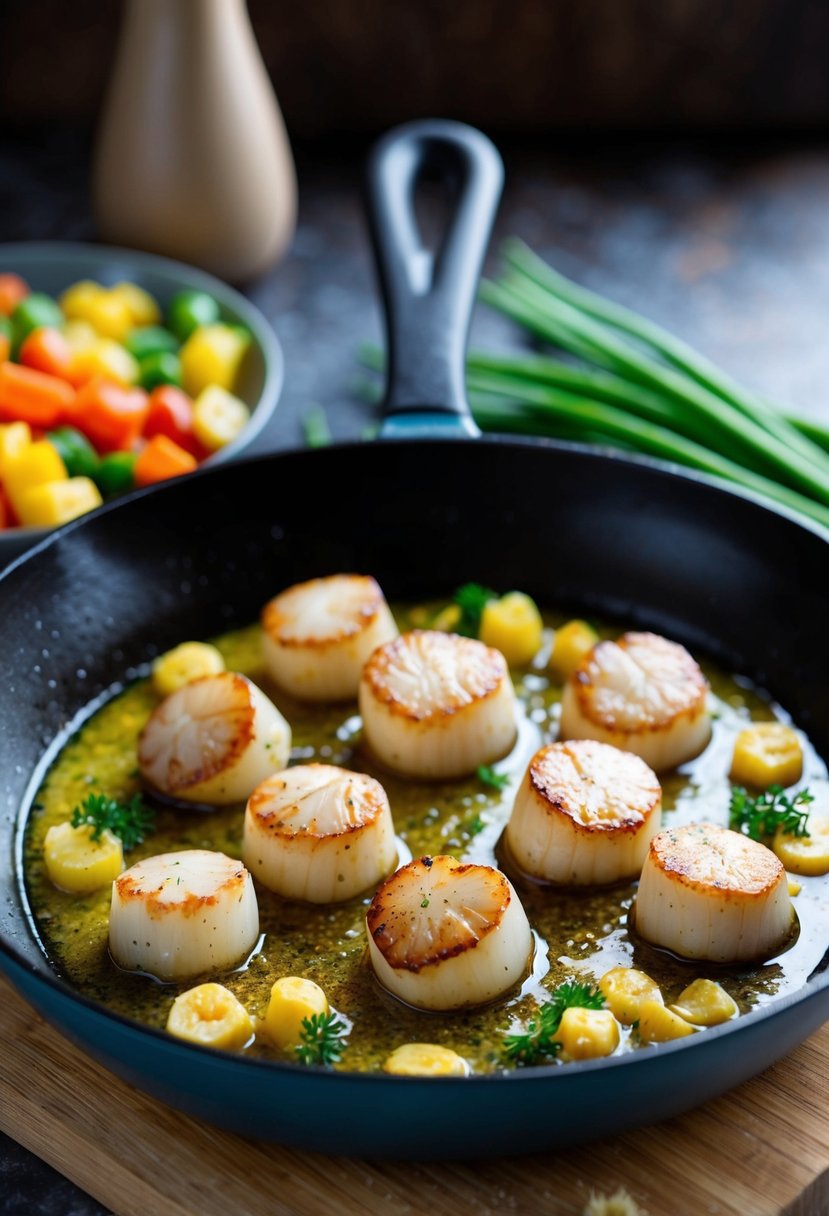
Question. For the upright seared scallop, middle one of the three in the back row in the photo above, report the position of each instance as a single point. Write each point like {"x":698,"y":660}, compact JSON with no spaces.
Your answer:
{"x":437,"y":706}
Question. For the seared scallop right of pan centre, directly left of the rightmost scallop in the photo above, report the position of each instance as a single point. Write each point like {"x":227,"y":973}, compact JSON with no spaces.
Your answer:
{"x":585,"y":813}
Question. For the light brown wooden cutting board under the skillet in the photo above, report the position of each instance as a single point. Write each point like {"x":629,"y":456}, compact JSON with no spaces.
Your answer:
{"x":760,"y":1151}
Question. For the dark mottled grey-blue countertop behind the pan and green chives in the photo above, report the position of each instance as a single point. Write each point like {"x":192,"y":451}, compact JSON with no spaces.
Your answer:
{"x":728,"y":247}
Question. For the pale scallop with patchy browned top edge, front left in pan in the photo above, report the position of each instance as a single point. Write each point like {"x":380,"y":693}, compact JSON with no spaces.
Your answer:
{"x":181,"y":915}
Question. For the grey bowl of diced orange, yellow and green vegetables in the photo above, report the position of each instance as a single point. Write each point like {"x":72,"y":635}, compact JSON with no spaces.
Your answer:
{"x":119,"y":370}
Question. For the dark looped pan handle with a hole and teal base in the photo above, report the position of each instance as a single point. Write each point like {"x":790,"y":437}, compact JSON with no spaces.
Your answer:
{"x":430,"y":297}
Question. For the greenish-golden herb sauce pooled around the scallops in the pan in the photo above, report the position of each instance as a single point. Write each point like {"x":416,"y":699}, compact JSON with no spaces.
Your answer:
{"x":580,"y":933}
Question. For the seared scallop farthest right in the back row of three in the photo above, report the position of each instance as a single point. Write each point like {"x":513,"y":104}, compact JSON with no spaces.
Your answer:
{"x":644,"y":695}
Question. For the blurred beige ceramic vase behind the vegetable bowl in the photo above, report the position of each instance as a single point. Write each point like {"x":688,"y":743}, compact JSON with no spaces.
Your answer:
{"x":193,"y":157}
